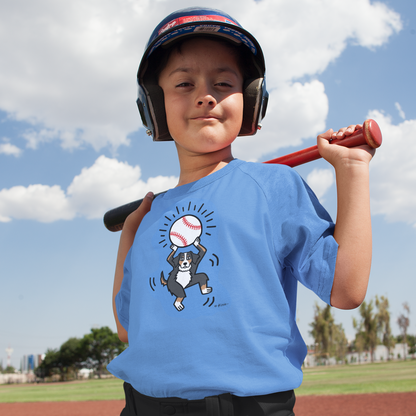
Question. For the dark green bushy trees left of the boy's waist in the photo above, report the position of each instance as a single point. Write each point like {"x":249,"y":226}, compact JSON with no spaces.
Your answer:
{"x":93,"y":351}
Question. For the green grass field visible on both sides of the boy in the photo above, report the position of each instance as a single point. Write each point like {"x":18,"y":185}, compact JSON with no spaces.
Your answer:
{"x":397,"y":376}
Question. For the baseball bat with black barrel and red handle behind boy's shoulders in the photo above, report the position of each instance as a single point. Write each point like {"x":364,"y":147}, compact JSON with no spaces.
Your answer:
{"x":369,"y":134}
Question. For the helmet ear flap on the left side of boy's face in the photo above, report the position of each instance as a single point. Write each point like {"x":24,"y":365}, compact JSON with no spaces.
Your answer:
{"x":151,"y":105}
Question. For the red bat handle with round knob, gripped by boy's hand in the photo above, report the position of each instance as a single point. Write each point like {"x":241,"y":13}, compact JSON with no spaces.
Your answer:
{"x":369,"y":134}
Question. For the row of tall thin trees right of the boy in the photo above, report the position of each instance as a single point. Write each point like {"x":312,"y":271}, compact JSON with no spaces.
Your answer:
{"x":372,"y":329}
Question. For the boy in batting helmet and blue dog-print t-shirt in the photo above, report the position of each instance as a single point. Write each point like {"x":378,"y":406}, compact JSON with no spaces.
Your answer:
{"x":207,"y":297}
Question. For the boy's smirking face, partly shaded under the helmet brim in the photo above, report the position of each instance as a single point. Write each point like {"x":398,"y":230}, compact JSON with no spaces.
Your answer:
{"x":203,"y":90}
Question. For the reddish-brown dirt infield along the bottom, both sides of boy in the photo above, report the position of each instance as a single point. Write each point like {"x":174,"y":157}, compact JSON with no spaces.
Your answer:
{"x":402,"y":404}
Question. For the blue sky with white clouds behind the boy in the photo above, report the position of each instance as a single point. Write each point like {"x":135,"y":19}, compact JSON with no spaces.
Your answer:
{"x":72,"y":145}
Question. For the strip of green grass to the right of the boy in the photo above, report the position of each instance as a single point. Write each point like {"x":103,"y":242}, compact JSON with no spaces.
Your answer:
{"x":390,"y":377}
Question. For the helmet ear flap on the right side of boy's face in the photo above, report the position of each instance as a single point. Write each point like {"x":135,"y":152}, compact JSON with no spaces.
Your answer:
{"x":255,"y":99}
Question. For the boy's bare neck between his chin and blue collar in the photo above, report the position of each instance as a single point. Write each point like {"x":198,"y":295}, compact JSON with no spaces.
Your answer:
{"x":195,"y":167}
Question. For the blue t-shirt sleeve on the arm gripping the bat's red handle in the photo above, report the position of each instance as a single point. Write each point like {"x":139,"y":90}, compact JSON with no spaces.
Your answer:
{"x":304,"y":240}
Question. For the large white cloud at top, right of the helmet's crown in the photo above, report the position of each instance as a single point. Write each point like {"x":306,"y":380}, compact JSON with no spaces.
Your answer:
{"x":302,"y":37}
